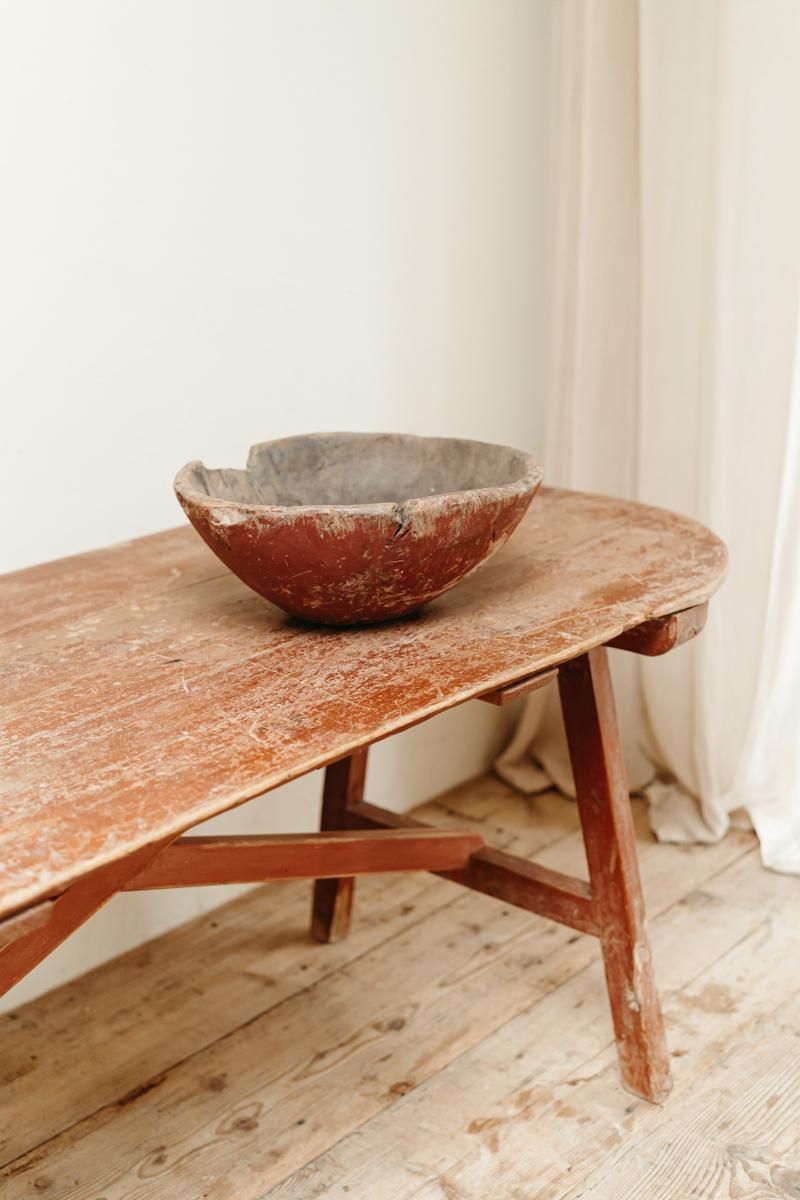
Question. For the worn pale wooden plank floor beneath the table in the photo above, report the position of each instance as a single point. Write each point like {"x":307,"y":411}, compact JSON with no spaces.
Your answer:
{"x":452,"y":1049}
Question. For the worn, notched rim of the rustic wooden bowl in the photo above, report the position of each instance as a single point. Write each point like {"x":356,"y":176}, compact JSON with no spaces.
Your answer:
{"x":527,"y":483}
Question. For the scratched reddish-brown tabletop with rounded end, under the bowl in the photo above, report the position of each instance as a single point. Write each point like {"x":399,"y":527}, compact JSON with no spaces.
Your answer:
{"x":146,"y":688}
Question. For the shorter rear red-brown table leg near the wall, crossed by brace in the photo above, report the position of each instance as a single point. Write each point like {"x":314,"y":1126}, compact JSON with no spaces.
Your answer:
{"x":333,"y":902}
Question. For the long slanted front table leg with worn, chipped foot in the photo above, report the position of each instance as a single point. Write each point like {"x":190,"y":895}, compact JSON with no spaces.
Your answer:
{"x":604,"y":802}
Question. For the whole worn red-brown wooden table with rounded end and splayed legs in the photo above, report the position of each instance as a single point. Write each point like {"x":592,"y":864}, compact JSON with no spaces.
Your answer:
{"x":146,"y":689}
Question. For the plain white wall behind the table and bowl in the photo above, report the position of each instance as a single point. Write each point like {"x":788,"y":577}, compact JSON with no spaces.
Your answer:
{"x":232,"y":221}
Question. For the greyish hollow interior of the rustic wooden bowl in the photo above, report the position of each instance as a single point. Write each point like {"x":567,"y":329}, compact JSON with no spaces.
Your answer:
{"x":363,"y":469}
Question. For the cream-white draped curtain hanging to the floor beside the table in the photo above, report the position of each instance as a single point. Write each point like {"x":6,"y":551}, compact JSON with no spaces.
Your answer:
{"x":676,"y":296}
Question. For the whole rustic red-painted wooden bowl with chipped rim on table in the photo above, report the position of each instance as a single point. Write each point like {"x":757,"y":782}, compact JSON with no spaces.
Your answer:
{"x":342,"y":529}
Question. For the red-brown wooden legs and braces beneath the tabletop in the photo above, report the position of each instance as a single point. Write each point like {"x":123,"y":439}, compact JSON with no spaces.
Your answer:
{"x":358,"y":838}
